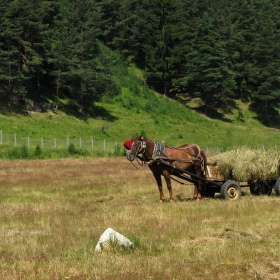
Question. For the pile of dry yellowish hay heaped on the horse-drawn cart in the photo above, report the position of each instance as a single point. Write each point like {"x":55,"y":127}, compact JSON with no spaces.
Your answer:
{"x":246,"y":164}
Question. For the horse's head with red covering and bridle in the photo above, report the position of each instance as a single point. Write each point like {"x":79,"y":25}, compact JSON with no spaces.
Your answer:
{"x":136,"y":146}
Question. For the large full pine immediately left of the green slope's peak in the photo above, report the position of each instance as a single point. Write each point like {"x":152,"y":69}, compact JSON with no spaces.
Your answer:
{"x":77,"y":55}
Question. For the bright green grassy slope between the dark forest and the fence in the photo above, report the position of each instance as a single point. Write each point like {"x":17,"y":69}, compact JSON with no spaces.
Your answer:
{"x":139,"y":110}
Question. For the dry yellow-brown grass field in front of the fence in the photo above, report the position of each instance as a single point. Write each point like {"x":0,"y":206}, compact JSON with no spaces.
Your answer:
{"x":54,"y":211}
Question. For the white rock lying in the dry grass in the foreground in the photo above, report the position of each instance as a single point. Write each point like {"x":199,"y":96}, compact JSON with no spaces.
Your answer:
{"x":113,"y":236}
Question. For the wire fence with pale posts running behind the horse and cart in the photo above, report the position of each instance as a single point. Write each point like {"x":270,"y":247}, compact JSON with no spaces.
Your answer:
{"x":90,"y":144}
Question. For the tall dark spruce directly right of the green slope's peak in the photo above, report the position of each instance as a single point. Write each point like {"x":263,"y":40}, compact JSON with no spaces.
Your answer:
{"x":157,"y":39}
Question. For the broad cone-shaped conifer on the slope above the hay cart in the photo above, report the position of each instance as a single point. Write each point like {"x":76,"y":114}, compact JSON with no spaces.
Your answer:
{"x":207,"y":72}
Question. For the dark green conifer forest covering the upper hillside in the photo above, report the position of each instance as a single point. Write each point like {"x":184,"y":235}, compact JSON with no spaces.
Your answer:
{"x":218,"y":51}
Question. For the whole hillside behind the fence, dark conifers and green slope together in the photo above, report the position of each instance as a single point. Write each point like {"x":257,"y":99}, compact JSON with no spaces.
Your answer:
{"x":173,"y":71}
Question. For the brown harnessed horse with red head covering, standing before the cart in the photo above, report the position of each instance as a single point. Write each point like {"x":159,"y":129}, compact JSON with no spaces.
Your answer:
{"x":189,"y":157}
